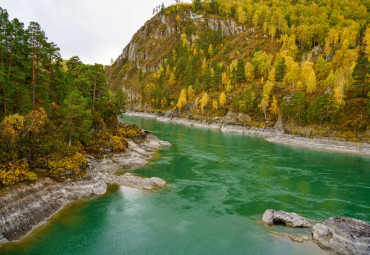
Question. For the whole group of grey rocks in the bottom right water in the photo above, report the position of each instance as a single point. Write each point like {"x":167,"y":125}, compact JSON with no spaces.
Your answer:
{"x":341,"y":235}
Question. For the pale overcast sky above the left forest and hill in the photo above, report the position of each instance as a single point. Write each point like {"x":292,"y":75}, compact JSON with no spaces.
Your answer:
{"x":94,"y":30}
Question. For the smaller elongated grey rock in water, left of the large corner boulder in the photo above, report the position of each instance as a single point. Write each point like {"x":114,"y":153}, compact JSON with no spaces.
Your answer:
{"x":270,"y":217}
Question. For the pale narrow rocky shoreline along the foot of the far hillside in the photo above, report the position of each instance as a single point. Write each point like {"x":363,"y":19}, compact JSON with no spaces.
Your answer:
{"x":271,"y":134}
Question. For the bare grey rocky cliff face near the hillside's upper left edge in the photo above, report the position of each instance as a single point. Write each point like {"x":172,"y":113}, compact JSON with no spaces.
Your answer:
{"x":151,"y":44}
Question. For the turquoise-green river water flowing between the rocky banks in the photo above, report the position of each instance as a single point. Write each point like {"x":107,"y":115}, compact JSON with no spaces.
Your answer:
{"x":219,"y":186}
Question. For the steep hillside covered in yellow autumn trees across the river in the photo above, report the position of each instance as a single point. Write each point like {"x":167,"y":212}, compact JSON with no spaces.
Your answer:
{"x":304,"y":62}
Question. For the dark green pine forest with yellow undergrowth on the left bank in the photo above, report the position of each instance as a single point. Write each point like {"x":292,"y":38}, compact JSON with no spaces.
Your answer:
{"x":53,"y":111}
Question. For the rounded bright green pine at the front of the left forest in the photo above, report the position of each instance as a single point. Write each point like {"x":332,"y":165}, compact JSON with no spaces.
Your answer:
{"x":77,"y":117}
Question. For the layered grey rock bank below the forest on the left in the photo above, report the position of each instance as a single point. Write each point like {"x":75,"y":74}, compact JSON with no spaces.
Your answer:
{"x":26,"y":207}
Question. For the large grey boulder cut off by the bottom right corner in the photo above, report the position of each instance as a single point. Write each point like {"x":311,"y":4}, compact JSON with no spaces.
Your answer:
{"x":343,"y":235}
